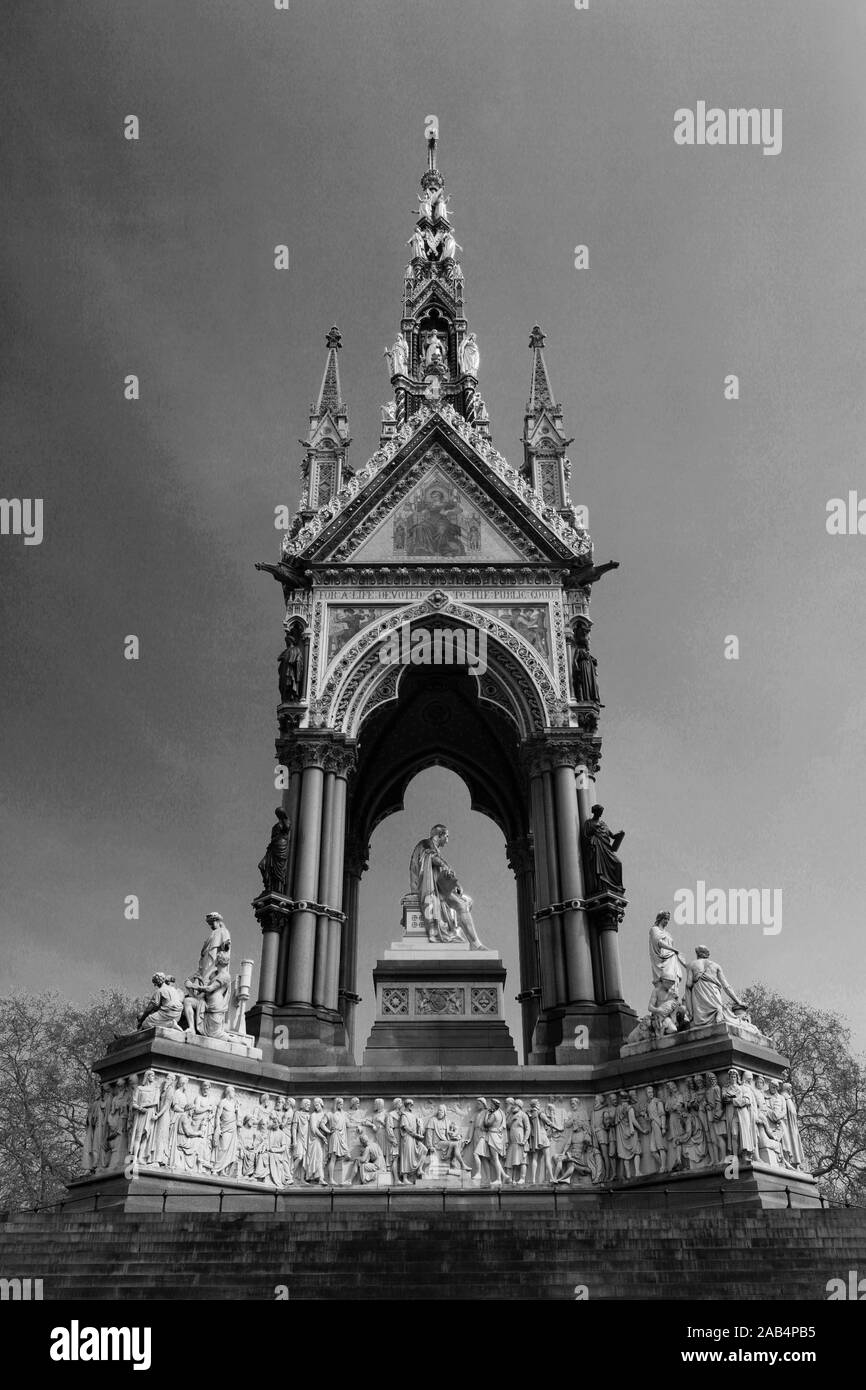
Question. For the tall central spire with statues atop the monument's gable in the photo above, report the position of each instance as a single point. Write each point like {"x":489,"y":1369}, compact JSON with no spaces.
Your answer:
{"x":434,"y":359}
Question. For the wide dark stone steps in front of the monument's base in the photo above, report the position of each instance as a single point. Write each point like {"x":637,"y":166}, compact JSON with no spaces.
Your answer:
{"x":369,"y":1254}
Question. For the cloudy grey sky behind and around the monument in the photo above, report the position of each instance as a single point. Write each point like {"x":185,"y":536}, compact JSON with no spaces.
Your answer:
{"x":156,"y":258}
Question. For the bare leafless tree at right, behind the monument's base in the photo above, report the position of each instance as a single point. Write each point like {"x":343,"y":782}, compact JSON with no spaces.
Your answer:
{"x":829,"y":1085}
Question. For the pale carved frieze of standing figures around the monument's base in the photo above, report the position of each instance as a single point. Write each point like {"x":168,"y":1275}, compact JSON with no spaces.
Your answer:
{"x":166,"y":1122}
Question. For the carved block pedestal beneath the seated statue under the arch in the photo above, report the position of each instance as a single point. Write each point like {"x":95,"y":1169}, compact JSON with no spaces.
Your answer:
{"x":439,"y":1006}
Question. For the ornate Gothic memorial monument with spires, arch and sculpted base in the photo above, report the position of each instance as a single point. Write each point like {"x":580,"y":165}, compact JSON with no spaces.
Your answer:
{"x":440,"y":534}
